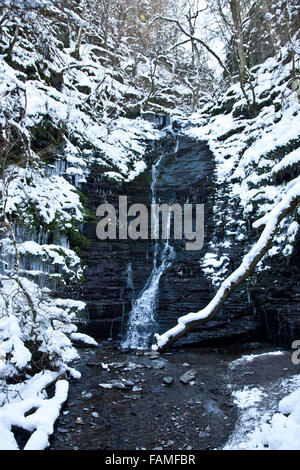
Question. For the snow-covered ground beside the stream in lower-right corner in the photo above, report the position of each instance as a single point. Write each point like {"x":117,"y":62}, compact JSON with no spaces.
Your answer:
{"x":266,"y":422}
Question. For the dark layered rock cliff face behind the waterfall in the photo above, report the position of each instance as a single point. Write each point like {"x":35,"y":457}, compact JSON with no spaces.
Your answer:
{"x":117,"y":271}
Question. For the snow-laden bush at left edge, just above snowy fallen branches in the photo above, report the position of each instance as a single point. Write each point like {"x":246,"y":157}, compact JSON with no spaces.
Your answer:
{"x":34,"y":333}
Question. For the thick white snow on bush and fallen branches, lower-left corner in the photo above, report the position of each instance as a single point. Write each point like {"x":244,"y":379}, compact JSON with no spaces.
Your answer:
{"x":53,"y":331}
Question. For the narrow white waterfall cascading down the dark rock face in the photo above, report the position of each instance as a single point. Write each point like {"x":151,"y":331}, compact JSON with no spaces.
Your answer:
{"x":141,"y":322}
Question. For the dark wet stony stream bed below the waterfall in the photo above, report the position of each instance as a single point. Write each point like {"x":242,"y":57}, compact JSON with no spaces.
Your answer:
{"x":136,"y":401}
